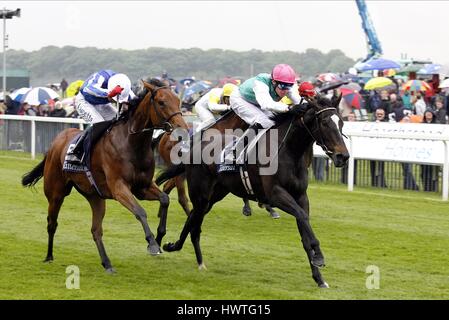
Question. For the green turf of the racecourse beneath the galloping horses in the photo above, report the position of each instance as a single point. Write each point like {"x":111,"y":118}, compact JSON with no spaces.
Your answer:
{"x":404,"y":234}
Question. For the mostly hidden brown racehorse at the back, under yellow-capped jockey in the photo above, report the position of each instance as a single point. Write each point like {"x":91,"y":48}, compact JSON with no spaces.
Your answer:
{"x":229,"y":120}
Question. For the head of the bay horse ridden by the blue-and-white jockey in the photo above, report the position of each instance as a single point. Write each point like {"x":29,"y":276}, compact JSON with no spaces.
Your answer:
{"x":158,"y":107}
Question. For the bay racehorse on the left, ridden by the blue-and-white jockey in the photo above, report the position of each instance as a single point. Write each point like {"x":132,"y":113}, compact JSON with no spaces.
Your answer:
{"x":122,"y":165}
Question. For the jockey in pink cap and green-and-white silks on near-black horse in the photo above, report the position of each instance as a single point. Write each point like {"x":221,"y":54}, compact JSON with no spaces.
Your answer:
{"x":258,"y":99}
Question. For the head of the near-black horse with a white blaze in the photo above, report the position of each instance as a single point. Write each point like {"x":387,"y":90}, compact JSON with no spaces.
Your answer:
{"x":324,"y":124}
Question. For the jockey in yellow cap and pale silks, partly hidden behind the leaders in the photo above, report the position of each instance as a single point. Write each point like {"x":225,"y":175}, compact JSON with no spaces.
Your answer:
{"x":213,"y":102}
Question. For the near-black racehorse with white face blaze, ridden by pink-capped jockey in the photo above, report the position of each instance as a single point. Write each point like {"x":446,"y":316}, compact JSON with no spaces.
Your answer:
{"x":285,"y":189}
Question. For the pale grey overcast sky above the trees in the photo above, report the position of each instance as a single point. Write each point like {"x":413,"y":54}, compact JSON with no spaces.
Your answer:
{"x":416,"y":28}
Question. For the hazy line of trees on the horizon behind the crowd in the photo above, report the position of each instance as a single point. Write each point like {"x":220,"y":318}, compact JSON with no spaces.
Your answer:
{"x":50,"y":64}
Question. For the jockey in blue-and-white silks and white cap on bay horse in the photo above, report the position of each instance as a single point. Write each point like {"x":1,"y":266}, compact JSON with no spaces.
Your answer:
{"x":93,"y":102}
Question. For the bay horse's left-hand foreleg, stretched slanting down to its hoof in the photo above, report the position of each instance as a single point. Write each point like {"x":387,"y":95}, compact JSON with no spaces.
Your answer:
{"x":123,"y":194}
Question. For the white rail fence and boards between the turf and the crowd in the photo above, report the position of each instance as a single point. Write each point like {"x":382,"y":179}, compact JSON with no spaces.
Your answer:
{"x":408,"y":142}
